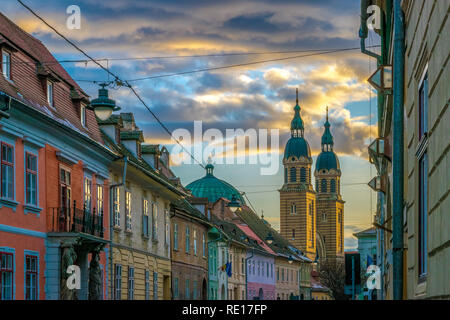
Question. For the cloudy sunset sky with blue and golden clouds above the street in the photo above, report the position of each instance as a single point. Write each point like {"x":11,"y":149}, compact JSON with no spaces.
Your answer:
{"x":259,"y":96}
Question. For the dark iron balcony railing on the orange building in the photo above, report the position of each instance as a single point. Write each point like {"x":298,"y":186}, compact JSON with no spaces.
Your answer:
{"x":73,"y":219}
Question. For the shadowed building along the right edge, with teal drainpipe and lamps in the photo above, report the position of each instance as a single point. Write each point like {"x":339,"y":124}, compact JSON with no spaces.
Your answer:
{"x":411,"y":151}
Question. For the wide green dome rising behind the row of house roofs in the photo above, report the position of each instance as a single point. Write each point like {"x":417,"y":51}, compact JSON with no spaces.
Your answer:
{"x":213,"y":188}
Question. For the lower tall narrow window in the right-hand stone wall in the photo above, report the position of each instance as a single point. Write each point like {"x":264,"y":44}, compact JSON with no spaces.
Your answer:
{"x":423,"y":214}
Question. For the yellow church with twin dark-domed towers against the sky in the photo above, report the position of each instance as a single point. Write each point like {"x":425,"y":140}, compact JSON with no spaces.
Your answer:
{"x":312,"y":219}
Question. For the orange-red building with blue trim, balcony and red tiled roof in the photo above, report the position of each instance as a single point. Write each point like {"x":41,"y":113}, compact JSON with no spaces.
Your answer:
{"x":54,"y":202}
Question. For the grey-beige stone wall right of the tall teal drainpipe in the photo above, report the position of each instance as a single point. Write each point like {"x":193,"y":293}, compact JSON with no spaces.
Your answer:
{"x":427,"y":54}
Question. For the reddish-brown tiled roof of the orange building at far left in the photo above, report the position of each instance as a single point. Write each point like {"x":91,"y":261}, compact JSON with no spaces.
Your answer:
{"x":27,"y":87}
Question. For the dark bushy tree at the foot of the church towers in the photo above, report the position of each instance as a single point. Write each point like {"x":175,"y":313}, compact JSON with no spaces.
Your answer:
{"x":332,"y":275}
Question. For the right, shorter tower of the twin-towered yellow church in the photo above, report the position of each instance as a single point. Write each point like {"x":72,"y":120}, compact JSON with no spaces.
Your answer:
{"x":330,"y":206}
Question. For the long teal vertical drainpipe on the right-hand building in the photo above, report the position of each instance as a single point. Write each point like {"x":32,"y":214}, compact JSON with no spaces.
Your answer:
{"x":397,"y":161}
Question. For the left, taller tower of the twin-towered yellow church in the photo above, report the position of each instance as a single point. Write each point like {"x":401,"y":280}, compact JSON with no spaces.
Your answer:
{"x":297,"y":196}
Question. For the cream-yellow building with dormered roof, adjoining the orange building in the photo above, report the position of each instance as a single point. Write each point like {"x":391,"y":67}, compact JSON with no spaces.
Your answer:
{"x":140,"y":201}
